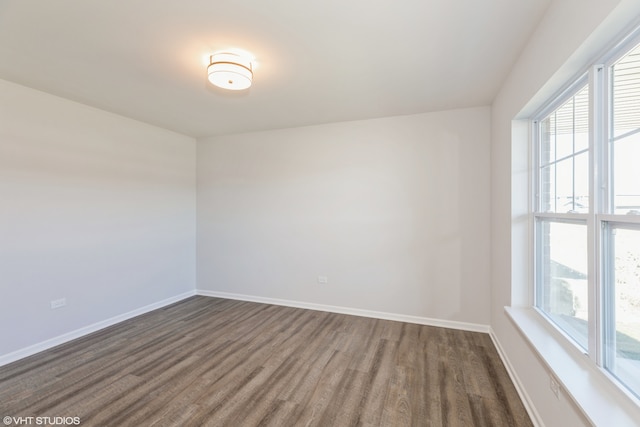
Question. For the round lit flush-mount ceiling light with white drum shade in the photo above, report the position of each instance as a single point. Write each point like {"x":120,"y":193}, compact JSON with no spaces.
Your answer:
{"x":230,"y":71}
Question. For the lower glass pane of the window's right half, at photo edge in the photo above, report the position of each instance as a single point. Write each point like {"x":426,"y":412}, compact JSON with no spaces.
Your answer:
{"x":623,"y":306}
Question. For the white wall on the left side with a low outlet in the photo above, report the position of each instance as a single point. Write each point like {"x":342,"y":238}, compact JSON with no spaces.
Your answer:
{"x":95,"y":208}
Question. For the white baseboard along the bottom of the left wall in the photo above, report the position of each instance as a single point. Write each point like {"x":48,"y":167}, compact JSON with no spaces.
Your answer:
{"x":61,"y":339}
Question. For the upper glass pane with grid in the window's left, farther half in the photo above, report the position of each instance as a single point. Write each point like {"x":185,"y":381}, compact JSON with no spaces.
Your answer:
{"x":564,"y":157}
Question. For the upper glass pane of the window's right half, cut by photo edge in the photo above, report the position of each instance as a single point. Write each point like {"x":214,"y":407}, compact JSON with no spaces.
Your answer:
{"x":625,"y":133}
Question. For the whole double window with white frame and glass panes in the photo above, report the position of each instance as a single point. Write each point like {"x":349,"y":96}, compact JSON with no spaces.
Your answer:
{"x":587,"y":214}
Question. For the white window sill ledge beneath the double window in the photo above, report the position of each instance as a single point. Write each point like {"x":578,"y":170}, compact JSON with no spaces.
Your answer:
{"x":589,"y":387}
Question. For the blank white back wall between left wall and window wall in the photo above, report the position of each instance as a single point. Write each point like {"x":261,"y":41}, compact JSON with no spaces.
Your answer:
{"x":394,"y":211}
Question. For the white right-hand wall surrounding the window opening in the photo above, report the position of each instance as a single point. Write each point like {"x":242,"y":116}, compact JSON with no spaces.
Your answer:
{"x":572,"y":33}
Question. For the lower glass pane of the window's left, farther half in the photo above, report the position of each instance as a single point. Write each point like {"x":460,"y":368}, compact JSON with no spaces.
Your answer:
{"x":562,"y":292}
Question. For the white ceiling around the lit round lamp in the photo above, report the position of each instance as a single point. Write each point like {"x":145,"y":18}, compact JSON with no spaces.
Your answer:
{"x":315,"y":62}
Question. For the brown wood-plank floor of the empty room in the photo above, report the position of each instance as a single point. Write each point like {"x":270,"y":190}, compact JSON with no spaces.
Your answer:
{"x":214,"y":362}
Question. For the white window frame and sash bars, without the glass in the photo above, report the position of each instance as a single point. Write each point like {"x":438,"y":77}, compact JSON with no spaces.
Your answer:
{"x":601,"y":214}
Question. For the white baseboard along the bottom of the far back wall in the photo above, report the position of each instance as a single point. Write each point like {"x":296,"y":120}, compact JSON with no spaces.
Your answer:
{"x":472,"y":327}
